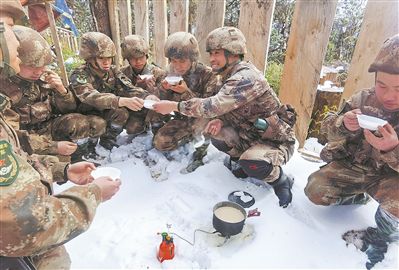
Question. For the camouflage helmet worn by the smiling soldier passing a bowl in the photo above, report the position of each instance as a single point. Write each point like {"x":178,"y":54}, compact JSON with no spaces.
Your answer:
{"x":230,"y":39}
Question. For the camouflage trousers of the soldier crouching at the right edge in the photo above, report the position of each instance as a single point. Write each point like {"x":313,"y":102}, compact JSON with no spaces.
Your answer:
{"x":338,"y":180}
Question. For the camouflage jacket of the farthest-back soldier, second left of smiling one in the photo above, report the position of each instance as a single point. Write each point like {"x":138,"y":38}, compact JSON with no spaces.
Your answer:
{"x":158,"y":73}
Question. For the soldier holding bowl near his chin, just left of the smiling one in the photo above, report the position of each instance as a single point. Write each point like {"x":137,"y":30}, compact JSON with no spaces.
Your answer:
{"x":182,"y":50}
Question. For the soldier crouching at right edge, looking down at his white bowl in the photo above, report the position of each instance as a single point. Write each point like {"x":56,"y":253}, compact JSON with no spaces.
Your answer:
{"x":363,"y":163}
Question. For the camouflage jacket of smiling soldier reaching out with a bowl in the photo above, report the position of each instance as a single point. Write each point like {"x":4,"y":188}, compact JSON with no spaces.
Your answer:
{"x":244,"y":97}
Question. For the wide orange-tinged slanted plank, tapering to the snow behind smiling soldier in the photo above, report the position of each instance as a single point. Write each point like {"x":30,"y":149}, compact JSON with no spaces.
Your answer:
{"x":307,"y":45}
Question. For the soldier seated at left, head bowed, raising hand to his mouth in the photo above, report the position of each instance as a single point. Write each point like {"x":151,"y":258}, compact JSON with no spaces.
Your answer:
{"x":44,"y":104}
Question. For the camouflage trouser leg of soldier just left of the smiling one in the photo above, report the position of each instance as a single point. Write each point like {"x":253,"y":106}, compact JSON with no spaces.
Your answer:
{"x":177,"y":132}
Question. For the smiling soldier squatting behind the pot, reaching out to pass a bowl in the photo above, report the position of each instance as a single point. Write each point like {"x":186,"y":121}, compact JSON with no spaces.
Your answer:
{"x":244,"y":102}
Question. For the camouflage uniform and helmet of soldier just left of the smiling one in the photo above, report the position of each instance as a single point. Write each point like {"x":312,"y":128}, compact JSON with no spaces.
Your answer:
{"x":201,"y":83}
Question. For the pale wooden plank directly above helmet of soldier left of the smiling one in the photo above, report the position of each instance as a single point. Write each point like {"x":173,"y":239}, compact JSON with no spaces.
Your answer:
{"x":178,"y":16}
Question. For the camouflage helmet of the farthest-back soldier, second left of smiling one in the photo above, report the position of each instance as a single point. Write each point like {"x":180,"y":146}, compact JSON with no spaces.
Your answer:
{"x":134,"y":46}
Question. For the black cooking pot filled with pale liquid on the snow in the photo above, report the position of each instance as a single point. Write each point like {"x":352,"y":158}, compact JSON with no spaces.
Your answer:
{"x":229,"y":218}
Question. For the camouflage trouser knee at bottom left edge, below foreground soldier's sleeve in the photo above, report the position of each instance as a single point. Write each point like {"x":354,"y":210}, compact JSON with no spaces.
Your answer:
{"x":54,"y":259}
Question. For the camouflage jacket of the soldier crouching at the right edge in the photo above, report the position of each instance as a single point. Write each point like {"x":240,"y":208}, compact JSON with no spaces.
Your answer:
{"x":352,"y":147}
